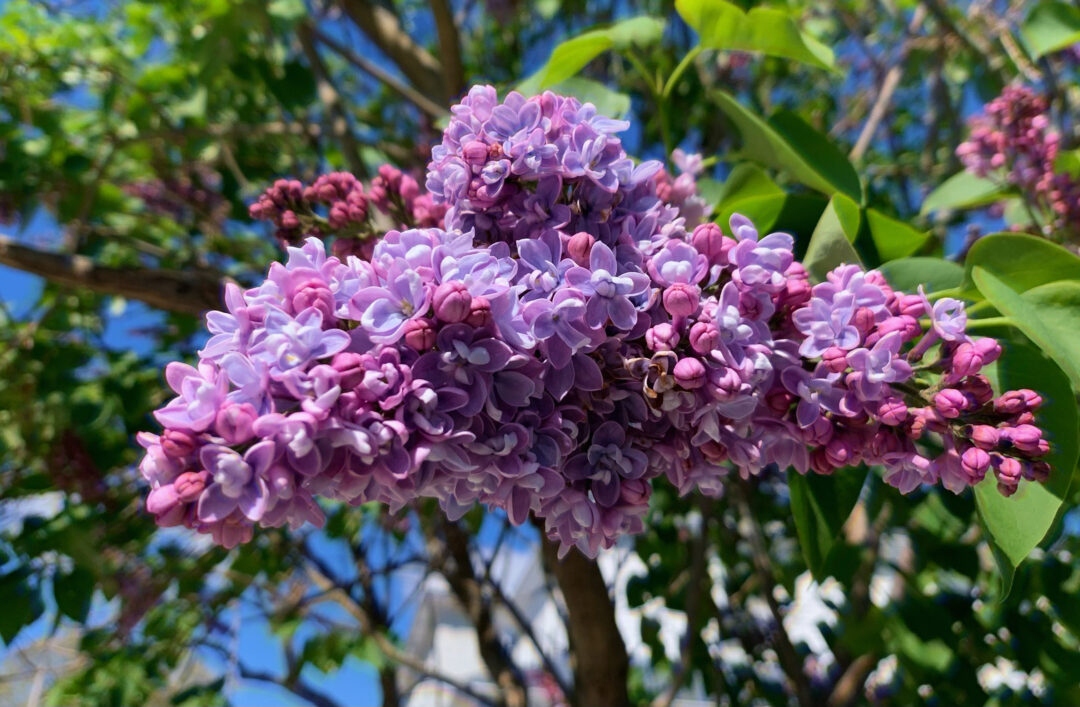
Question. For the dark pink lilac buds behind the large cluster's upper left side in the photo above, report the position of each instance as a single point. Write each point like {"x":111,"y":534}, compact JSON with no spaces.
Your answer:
{"x":337,"y":205}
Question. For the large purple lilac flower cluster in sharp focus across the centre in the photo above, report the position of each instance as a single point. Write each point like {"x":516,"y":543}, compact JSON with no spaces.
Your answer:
{"x":563,"y":343}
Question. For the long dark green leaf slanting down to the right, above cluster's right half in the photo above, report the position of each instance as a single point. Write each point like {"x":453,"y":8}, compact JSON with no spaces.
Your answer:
{"x":788,"y":144}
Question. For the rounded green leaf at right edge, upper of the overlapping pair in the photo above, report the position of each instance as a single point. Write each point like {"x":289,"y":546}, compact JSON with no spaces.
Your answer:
{"x":1021,"y":262}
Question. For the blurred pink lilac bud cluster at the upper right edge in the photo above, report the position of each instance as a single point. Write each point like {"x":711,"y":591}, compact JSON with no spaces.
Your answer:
{"x":1014,"y":139}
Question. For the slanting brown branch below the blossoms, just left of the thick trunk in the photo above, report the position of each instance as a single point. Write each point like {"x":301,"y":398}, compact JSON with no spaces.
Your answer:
{"x":463,"y":579}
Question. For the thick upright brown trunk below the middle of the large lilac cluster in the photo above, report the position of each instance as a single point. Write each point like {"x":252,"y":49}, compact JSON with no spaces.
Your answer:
{"x":601,"y":665}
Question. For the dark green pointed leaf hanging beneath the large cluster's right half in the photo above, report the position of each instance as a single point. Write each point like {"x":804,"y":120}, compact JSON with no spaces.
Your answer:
{"x":820,"y":507}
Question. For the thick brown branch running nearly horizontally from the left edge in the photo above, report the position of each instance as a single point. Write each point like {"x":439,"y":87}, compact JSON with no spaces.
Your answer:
{"x":188,"y":292}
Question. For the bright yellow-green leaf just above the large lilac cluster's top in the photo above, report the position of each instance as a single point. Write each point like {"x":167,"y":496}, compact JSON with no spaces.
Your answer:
{"x":573,"y":56}
